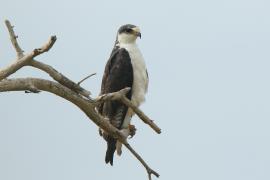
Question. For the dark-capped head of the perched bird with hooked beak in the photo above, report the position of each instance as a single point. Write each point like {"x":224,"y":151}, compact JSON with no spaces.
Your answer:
{"x":128,"y":33}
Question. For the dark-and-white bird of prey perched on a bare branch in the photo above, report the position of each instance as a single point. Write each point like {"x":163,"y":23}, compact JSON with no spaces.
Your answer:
{"x":125,"y":68}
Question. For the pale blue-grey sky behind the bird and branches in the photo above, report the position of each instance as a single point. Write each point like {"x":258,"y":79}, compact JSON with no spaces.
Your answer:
{"x":209,"y":90}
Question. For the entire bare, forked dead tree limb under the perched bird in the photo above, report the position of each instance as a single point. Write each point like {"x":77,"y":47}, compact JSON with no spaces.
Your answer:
{"x":67,"y":89}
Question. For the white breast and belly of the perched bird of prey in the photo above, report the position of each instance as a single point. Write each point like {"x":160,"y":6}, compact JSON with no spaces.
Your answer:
{"x":140,"y":79}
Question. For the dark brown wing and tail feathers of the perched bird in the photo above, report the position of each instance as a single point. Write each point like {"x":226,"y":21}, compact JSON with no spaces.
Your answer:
{"x":118,"y":74}
